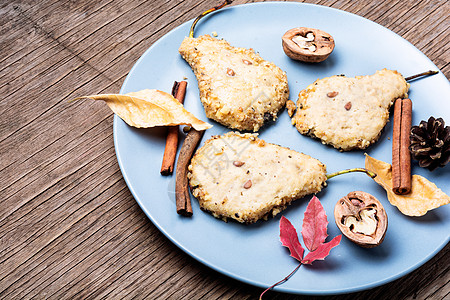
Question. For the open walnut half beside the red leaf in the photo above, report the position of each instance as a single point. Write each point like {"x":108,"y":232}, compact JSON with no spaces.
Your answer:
{"x":361,"y":218}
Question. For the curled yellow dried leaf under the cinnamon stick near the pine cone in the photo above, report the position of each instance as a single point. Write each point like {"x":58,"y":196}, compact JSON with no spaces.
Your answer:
{"x":424,"y":195}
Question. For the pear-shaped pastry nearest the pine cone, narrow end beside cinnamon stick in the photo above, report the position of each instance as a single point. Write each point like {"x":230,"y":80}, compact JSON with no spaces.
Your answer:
{"x":349,"y":113}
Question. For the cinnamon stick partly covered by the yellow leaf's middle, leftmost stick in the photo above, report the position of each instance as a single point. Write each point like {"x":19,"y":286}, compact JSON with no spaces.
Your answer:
{"x":170,"y":152}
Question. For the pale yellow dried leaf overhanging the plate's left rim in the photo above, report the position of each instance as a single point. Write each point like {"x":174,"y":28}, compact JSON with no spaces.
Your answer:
{"x":149,"y":108}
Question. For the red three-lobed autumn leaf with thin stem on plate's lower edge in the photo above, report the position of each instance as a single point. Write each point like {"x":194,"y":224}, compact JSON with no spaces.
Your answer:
{"x":314,"y":232}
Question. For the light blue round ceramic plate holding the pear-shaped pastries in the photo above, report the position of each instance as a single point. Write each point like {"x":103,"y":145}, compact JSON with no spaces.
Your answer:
{"x":253,"y":253}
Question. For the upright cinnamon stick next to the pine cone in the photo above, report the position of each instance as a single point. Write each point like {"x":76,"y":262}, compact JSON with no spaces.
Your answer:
{"x":401,"y":157}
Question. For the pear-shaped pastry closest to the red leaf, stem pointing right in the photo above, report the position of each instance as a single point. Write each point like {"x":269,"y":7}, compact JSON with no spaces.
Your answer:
{"x":241,"y":177}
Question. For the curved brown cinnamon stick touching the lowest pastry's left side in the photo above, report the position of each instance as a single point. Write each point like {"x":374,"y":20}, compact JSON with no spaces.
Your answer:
{"x":183,"y":199}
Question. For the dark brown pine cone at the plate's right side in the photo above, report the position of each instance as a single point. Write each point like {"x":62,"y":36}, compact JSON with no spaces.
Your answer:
{"x":430,"y":143}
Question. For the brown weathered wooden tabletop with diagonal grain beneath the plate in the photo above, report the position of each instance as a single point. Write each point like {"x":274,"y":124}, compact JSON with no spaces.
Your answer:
{"x":69,"y":227}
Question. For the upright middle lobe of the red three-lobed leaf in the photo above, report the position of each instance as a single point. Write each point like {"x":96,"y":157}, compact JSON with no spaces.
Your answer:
{"x":314,"y":229}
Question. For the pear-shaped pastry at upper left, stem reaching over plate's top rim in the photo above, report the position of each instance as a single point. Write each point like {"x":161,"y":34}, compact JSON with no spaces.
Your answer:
{"x":237,"y":87}
